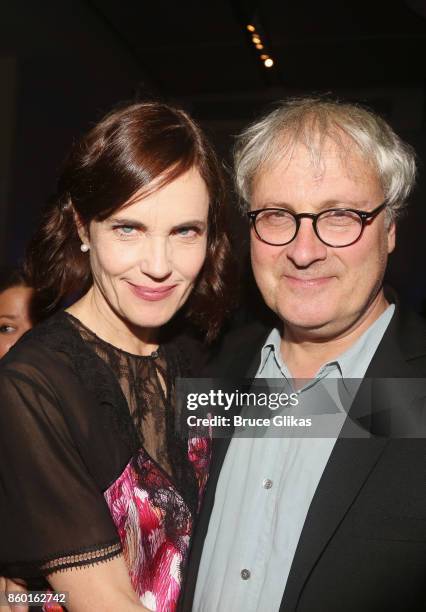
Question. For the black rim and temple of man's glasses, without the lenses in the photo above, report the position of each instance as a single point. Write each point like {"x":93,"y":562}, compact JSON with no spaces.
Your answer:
{"x":363,"y":215}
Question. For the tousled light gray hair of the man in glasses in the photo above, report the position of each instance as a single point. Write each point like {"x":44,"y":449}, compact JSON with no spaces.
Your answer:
{"x":309,"y":121}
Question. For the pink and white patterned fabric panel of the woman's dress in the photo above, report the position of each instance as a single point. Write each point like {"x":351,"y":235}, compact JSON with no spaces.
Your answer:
{"x":155,"y":554}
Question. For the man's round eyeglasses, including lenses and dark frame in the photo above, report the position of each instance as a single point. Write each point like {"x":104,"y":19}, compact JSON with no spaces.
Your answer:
{"x":336,"y":227}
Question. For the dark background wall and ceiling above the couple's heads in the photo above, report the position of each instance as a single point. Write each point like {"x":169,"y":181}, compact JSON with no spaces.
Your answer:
{"x":63,"y":64}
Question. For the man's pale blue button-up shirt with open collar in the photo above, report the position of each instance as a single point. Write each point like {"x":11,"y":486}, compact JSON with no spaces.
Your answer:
{"x":265,"y":489}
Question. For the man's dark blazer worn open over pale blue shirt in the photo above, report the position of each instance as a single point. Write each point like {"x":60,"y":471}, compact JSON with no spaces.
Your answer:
{"x":363,"y":544}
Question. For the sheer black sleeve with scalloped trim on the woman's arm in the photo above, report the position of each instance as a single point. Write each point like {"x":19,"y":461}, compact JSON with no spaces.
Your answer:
{"x":52,"y":514}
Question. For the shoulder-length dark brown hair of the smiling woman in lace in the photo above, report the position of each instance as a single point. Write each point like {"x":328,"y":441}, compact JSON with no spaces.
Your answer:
{"x":137,"y":149}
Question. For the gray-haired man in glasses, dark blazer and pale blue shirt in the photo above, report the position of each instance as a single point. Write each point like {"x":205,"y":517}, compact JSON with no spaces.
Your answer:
{"x":322,"y":524}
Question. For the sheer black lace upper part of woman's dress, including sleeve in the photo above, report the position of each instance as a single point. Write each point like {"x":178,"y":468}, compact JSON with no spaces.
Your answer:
{"x":74,"y":411}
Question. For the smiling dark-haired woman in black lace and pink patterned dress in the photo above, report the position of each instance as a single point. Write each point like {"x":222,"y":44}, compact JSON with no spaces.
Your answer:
{"x":95,"y":476}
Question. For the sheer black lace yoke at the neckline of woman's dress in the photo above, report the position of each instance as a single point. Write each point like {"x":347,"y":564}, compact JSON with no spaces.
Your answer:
{"x":138,"y":393}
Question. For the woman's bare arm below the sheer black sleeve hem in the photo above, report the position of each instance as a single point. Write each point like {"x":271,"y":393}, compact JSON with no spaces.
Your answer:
{"x":104,"y":587}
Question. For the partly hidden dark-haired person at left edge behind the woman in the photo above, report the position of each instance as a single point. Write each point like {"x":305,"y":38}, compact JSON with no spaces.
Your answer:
{"x":17,"y":313}
